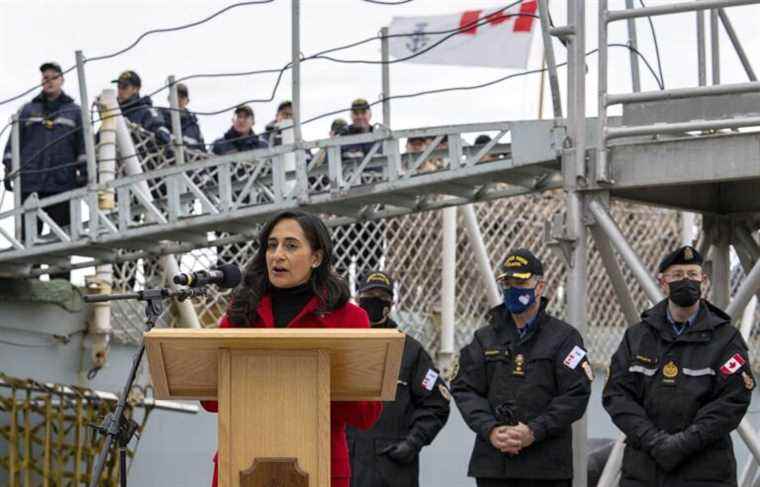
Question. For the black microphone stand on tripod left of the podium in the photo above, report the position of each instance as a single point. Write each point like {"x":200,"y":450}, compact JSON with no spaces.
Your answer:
{"x":117,"y":428}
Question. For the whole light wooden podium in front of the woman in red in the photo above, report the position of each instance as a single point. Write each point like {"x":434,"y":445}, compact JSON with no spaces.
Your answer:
{"x":274,"y":388}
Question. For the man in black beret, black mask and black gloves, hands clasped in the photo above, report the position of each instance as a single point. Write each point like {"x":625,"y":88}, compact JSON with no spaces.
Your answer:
{"x":679,"y":383}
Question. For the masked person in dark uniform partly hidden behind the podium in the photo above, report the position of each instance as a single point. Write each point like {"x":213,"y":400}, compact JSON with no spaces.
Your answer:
{"x":388,"y":454}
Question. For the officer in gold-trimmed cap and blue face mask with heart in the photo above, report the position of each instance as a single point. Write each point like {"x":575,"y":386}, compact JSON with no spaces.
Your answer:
{"x":521,"y":383}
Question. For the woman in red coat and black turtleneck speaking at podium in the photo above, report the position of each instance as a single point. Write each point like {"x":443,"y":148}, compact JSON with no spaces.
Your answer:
{"x":290,"y":283}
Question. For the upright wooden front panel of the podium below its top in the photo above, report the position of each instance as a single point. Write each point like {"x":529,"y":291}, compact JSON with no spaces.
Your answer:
{"x":274,"y":405}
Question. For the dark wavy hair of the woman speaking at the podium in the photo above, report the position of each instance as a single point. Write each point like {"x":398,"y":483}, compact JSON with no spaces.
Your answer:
{"x":325,"y":282}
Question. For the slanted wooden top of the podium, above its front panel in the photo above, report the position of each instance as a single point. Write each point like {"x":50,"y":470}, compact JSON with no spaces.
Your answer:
{"x":364,"y":363}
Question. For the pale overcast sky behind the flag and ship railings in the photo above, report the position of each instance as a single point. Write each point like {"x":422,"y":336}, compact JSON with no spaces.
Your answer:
{"x":259,"y":37}
